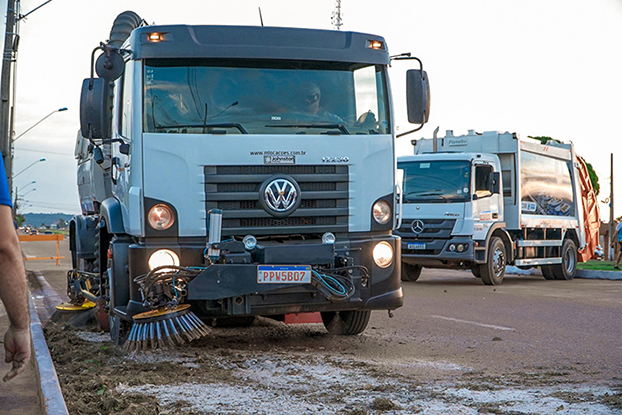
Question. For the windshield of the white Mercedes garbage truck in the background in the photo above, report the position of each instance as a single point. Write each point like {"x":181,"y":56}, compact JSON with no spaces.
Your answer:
{"x":436,"y":181}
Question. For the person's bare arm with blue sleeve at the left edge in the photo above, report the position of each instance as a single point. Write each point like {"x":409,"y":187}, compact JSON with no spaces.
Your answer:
{"x":13,"y":291}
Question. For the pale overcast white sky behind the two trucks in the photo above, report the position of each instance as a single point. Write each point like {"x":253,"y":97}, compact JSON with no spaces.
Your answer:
{"x":538,"y":68}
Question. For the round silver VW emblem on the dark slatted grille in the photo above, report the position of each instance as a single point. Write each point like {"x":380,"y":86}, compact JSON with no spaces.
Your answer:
{"x":280,"y":196}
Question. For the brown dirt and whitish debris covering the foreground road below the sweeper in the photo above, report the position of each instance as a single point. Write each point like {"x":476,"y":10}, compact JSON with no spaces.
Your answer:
{"x":273,"y":368}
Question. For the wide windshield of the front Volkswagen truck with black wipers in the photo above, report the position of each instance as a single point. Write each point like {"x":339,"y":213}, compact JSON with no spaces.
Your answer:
{"x":264,"y":97}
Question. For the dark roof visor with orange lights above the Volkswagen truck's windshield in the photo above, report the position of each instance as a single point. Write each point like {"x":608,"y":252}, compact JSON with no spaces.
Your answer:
{"x":256,"y":42}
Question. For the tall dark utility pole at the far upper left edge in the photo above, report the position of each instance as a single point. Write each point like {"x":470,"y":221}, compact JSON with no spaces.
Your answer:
{"x":5,"y":90}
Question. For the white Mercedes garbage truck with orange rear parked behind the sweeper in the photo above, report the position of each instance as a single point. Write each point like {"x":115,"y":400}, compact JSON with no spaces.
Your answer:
{"x":482,"y":201}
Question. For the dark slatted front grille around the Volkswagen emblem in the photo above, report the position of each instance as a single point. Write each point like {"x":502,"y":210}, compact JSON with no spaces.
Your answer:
{"x":235,"y":190}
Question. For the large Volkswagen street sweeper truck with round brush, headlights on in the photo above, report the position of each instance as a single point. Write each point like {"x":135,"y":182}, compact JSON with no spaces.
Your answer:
{"x":234,"y":172}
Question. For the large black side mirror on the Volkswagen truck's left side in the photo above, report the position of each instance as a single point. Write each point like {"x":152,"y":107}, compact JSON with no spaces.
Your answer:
{"x":95,"y":116}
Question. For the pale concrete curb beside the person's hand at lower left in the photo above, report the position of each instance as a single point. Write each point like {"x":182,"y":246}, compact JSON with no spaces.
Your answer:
{"x":52,"y":401}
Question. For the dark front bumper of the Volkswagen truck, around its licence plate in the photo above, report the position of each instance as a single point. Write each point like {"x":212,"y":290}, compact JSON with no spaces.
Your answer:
{"x":232,"y":288}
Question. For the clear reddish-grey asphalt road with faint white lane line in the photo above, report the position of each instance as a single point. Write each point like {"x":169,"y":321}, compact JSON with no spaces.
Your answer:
{"x":451,"y":319}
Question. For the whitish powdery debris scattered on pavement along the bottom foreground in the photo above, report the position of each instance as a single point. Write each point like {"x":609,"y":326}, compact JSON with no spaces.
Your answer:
{"x":319,"y":385}
